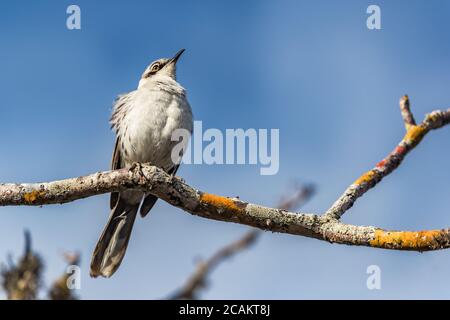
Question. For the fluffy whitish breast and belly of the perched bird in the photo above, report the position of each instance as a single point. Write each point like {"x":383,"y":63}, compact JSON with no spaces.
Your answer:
{"x":152,"y":114}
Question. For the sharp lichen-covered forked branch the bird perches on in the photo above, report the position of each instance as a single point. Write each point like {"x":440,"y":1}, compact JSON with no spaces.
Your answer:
{"x":177,"y":193}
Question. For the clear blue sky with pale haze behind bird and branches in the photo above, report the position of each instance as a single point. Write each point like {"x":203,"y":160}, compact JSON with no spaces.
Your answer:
{"x":310,"y":68}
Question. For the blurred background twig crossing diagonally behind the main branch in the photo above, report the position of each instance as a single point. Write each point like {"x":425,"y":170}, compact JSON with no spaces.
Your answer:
{"x":197,"y":280}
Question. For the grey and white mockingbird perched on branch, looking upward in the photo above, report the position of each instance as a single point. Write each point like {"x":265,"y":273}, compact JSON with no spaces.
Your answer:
{"x":144,"y":120}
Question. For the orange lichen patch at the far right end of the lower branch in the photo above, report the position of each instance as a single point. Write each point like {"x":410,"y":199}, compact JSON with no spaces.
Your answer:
{"x":405,"y":239}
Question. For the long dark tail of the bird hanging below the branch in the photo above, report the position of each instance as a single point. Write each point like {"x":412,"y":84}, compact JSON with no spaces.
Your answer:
{"x":113,"y":242}
